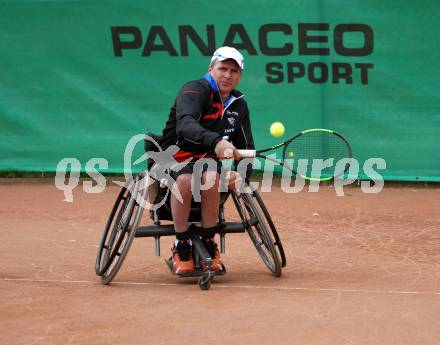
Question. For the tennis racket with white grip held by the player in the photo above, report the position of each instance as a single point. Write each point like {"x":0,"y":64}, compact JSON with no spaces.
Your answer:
{"x":314,"y":154}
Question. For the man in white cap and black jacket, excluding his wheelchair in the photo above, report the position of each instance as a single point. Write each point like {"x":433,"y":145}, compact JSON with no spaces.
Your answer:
{"x":209,"y":119}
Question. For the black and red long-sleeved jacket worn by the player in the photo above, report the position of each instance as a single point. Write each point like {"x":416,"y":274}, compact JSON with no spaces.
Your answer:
{"x":198,"y":120}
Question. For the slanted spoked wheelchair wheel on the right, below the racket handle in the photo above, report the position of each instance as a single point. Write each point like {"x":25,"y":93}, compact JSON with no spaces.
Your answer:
{"x":256,"y":227}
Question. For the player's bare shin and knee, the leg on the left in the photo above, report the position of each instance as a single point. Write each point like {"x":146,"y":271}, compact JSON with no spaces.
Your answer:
{"x":180,"y":211}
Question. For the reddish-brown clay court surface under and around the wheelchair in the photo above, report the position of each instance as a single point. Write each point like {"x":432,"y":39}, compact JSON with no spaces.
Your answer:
{"x":361,"y":269}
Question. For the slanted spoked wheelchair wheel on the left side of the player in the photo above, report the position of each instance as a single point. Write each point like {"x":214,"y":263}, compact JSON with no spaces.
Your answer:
{"x":119,"y":233}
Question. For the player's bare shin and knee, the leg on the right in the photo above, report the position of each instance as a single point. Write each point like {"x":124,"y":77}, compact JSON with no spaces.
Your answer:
{"x":210,"y":199}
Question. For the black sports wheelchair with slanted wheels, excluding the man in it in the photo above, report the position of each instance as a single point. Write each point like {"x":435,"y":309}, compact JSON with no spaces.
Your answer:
{"x":148,"y":191}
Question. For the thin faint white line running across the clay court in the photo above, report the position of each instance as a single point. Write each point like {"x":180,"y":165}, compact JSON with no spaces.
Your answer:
{"x":248,"y":287}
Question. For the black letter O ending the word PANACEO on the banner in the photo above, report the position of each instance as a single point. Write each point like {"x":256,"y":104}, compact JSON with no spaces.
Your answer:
{"x":368,"y":44}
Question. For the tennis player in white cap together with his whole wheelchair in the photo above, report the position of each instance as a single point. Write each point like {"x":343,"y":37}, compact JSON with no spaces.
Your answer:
{"x":209,"y":122}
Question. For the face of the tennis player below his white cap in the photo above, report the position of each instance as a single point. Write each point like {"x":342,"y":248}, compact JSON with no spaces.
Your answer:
{"x":227,"y":75}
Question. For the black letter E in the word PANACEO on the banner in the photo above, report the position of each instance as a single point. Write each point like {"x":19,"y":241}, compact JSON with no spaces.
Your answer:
{"x":304,"y":38}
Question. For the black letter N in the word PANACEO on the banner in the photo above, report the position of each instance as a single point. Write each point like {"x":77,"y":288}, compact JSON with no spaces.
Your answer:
{"x":187,"y":31}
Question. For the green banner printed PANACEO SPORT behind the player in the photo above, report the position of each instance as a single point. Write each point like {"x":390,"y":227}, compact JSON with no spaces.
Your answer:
{"x":80,"y":78}
